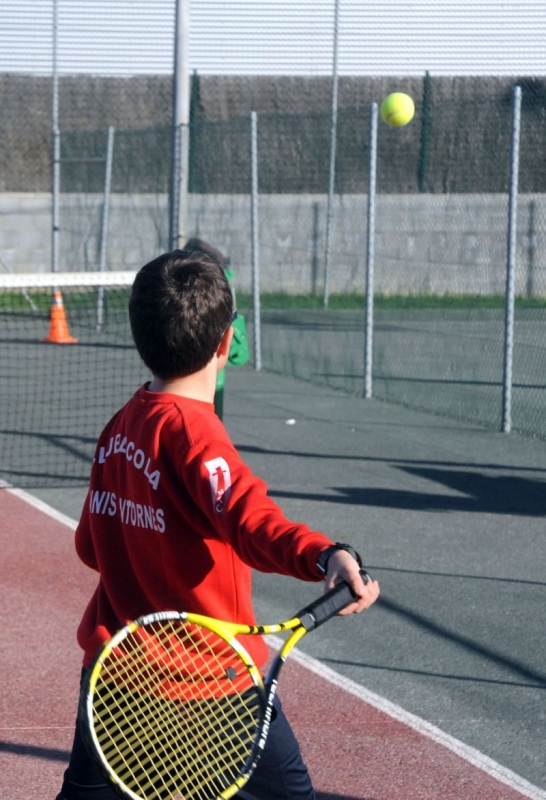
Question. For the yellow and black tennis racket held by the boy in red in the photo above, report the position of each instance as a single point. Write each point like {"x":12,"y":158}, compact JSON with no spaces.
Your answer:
{"x":174,"y":708}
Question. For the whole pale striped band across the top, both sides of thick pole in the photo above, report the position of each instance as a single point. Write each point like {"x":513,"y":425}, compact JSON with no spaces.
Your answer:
{"x":284,"y":37}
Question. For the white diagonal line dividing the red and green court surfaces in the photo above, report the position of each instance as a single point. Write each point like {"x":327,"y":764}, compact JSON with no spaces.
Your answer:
{"x":464,"y":751}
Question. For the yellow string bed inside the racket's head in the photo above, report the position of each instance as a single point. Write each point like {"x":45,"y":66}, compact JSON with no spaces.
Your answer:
{"x":163,"y":736}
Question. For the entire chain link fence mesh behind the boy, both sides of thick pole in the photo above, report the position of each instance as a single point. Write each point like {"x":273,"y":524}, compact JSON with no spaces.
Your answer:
{"x":440,"y":234}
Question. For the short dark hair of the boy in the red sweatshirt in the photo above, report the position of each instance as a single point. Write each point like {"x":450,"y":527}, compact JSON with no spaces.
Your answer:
{"x":180,"y":307}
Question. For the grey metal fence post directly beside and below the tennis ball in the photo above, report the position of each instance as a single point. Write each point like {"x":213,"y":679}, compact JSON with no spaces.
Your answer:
{"x":370,"y":244}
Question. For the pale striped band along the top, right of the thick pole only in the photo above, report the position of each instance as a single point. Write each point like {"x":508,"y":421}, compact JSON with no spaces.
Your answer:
{"x":377,"y":37}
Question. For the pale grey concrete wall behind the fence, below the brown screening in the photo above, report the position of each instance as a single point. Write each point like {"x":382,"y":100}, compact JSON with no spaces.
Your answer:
{"x":424,"y":243}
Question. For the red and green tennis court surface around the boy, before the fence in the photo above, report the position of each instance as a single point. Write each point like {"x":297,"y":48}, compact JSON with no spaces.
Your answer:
{"x":438,"y":692}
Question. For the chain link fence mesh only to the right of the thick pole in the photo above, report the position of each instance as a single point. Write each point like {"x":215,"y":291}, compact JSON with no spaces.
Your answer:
{"x":441,"y":253}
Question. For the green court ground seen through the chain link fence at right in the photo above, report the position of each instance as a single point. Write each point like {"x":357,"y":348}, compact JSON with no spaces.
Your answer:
{"x":448,"y":360}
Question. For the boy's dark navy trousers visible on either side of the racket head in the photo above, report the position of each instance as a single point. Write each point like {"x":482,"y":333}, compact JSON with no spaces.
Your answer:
{"x":281,"y":773}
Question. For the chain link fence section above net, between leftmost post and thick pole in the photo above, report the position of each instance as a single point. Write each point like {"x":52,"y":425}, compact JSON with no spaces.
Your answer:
{"x":113,"y":198}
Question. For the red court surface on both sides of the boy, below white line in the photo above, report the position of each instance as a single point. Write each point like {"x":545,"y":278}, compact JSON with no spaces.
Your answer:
{"x":353,"y":749}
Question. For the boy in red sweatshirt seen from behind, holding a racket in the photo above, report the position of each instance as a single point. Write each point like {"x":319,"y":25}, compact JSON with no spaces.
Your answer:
{"x":174,"y":519}
